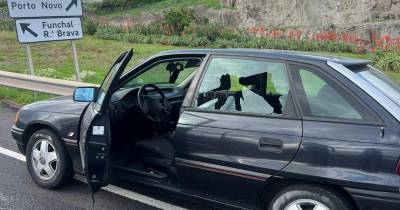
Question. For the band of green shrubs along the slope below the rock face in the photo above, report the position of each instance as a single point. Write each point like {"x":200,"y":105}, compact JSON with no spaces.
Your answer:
{"x":181,"y":27}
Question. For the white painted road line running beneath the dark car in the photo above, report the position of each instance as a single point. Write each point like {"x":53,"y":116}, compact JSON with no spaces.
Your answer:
{"x":110,"y":188}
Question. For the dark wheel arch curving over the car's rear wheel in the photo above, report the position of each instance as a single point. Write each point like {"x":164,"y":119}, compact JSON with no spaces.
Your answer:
{"x":271,"y":187}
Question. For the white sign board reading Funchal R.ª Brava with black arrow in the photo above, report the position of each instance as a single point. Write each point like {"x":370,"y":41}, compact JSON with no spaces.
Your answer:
{"x":48,"y":29}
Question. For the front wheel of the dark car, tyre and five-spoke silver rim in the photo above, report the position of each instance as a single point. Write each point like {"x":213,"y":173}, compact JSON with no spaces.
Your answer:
{"x":47,"y":160}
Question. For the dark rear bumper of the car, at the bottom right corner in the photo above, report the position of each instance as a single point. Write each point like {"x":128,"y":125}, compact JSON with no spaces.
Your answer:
{"x":375,"y":200}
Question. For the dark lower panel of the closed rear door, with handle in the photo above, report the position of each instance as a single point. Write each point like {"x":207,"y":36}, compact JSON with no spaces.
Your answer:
{"x":227,"y":149}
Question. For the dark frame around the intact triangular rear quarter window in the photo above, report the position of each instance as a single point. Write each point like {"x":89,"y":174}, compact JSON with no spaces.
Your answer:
{"x":324,"y":73}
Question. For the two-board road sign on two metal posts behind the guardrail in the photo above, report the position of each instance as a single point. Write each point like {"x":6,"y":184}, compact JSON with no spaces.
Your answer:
{"x":47,"y":20}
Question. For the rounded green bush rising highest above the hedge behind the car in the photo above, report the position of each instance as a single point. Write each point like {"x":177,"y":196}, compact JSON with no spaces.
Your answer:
{"x":179,"y":18}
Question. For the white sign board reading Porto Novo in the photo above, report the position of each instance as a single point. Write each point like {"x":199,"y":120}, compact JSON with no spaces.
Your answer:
{"x":44,"y":8}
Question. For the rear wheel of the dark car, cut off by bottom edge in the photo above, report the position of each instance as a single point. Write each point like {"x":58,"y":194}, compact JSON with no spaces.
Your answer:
{"x":309,"y":197}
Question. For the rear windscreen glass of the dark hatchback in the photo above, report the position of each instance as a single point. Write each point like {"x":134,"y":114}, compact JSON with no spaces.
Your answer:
{"x":378,"y":79}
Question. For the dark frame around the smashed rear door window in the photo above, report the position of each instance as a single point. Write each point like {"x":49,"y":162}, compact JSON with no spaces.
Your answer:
{"x":191,"y":105}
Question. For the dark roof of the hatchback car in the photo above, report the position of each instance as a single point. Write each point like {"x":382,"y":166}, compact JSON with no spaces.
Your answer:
{"x":273,"y":54}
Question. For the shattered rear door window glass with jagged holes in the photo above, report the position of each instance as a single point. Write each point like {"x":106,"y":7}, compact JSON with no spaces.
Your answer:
{"x":244,"y":85}
